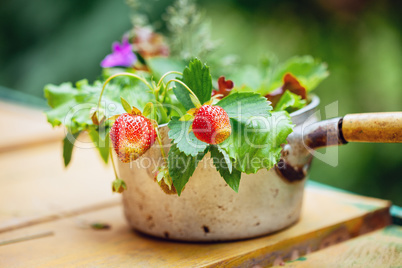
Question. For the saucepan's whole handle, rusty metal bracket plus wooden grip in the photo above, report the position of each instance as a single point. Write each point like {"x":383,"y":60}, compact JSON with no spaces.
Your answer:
{"x":368,"y":127}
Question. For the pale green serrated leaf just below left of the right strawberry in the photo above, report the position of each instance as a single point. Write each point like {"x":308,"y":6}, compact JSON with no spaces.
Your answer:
{"x":185,"y":140}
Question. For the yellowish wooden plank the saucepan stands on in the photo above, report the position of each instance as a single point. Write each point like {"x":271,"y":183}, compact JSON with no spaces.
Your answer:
{"x":327,"y":218}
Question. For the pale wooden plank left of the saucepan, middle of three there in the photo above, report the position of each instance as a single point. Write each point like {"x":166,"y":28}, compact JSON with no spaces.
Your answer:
{"x":36,"y":187}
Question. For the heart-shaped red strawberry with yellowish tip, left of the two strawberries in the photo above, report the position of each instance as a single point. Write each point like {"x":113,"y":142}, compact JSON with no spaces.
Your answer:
{"x":131,"y":136}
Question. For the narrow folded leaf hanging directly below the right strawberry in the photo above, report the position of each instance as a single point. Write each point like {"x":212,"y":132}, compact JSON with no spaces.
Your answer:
{"x":225,"y":168}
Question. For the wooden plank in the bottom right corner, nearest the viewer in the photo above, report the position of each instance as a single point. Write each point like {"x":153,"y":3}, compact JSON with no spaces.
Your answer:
{"x":382,"y":248}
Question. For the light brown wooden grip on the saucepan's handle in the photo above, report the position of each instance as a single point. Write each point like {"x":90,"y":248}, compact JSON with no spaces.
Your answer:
{"x":373,"y":127}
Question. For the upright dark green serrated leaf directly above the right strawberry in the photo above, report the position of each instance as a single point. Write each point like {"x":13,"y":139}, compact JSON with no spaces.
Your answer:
{"x":197,"y":77}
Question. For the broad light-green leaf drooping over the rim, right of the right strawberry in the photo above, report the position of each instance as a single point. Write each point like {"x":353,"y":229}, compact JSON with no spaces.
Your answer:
{"x":256,"y":144}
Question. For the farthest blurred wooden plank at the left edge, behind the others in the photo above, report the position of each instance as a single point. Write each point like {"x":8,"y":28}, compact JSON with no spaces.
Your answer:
{"x":24,"y":126}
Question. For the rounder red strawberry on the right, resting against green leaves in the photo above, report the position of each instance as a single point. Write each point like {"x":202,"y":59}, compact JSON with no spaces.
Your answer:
{"x":211,"y":124}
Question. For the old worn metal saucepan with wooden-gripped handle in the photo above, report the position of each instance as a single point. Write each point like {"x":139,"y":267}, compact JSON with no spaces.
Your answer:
{"x":209,"y":210}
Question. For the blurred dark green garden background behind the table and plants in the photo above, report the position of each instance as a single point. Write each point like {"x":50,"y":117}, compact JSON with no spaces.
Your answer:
{"x":46,"y":41}
